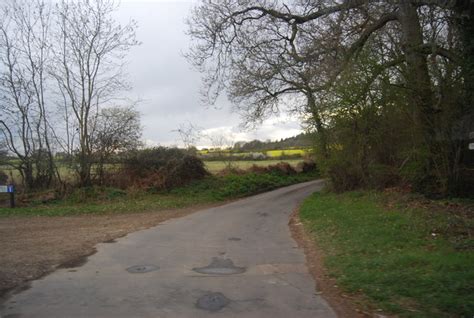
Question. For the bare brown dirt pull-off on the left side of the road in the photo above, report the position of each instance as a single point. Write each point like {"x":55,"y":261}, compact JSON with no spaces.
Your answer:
{"x":31,"y":247}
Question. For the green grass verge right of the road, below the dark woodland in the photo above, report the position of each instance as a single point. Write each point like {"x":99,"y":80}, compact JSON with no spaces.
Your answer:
{"x":391,"y":256}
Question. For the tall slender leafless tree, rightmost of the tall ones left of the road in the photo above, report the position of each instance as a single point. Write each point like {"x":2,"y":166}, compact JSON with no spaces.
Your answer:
{"x":90,"y":52}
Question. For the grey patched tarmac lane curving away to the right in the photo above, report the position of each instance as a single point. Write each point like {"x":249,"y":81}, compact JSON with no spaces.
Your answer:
{"x":236,"y":260}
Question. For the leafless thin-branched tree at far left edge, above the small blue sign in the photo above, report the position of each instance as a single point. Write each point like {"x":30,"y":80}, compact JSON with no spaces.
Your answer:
{"x":24,"y":120}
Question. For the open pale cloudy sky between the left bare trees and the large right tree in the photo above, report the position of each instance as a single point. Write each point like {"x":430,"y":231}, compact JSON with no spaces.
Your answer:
{"x":169,"y":87}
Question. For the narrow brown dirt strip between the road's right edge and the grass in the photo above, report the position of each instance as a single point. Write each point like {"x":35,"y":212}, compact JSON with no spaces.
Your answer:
{"x":343,"y":304}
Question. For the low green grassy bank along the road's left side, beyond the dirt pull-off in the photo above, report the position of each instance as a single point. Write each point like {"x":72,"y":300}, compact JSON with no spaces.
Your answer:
{"x":212,"y":189}
